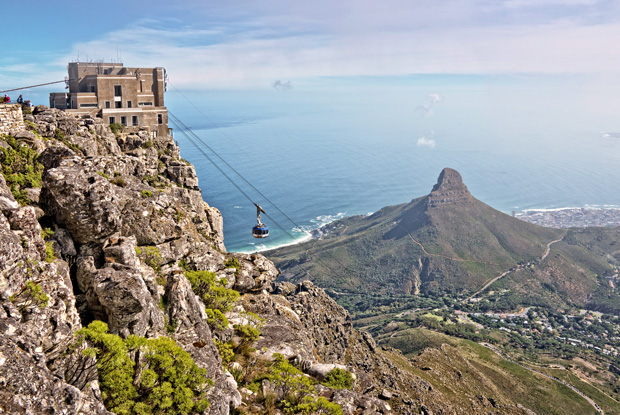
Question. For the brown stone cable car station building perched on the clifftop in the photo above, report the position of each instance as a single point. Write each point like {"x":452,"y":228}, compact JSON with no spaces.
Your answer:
{"x":130,"y":96}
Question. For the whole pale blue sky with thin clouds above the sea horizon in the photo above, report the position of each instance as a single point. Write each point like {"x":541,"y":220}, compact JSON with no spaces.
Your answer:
{"x":250,"y":44}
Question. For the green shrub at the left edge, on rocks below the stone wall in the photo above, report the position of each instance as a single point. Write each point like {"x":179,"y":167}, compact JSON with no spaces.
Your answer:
{"x":20,"y":168}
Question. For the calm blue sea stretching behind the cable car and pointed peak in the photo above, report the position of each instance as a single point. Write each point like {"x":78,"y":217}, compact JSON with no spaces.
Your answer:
{"x":318,"y":152}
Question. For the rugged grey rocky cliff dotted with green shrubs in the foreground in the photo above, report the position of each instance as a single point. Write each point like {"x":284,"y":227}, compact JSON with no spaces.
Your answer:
{"x":111,"y":226}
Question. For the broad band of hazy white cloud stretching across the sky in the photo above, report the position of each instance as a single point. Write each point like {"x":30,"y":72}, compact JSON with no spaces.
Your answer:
{"x":364,"y":38}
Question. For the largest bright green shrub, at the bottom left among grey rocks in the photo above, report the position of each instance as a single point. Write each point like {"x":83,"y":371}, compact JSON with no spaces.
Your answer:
{"x":168,"y":382}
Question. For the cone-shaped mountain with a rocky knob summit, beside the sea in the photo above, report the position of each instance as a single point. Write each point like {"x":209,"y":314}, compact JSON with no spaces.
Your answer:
{"x":445,"y":242}
